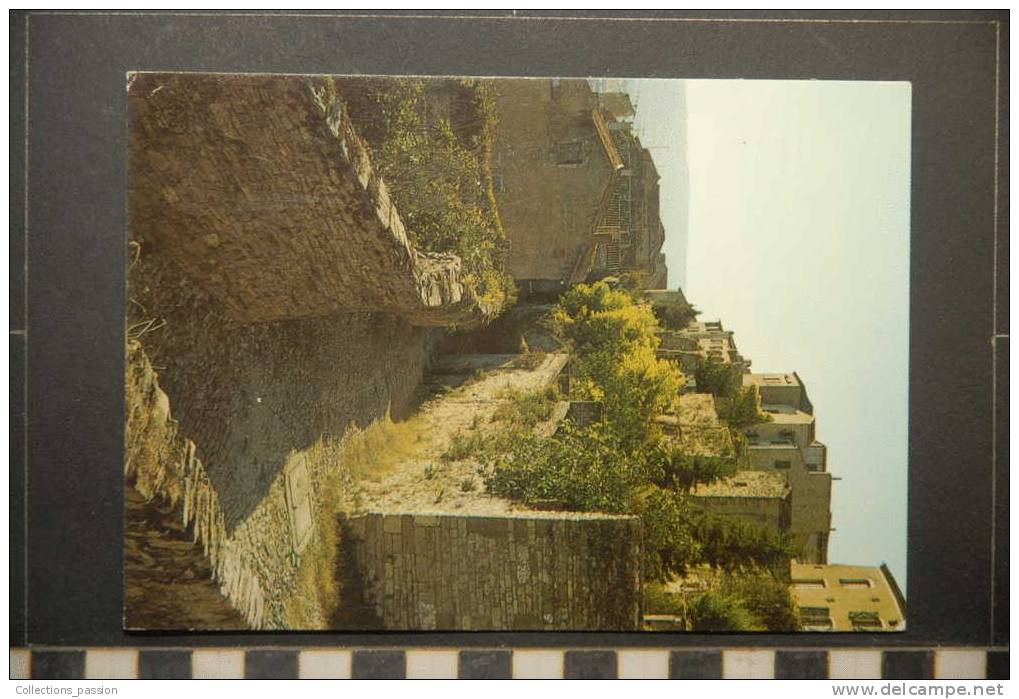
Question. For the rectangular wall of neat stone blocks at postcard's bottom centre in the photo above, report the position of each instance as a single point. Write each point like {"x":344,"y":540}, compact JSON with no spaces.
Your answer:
{"x":534,"y":572}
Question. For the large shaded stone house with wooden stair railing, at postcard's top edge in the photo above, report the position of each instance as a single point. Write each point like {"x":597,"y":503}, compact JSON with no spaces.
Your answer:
{"x":578,"y":194}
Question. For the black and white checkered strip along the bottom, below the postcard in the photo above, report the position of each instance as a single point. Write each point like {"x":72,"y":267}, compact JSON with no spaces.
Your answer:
{"x":130,"y":664}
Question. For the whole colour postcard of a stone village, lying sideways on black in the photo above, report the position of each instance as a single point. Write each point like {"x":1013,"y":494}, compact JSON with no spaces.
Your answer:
{"x":499,"y":354}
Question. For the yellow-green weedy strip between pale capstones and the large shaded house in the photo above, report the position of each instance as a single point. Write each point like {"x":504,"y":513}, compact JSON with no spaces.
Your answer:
{"x":432,"y":142}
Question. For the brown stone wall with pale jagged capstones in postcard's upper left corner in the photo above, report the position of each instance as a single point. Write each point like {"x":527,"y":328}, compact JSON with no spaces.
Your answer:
{"x":261,"y":191}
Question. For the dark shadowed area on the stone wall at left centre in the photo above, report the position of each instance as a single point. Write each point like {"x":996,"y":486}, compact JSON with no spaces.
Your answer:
{"x":251,"y":395}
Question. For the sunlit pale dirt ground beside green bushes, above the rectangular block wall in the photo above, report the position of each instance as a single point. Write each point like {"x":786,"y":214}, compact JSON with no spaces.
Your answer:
{"x":424,"y":483}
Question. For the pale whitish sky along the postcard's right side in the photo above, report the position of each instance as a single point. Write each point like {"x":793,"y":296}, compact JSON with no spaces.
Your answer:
{"x":797,"y":238}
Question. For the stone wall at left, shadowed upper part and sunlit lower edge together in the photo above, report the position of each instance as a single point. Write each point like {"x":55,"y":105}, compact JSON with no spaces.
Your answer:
{"x":220,"y":410}
